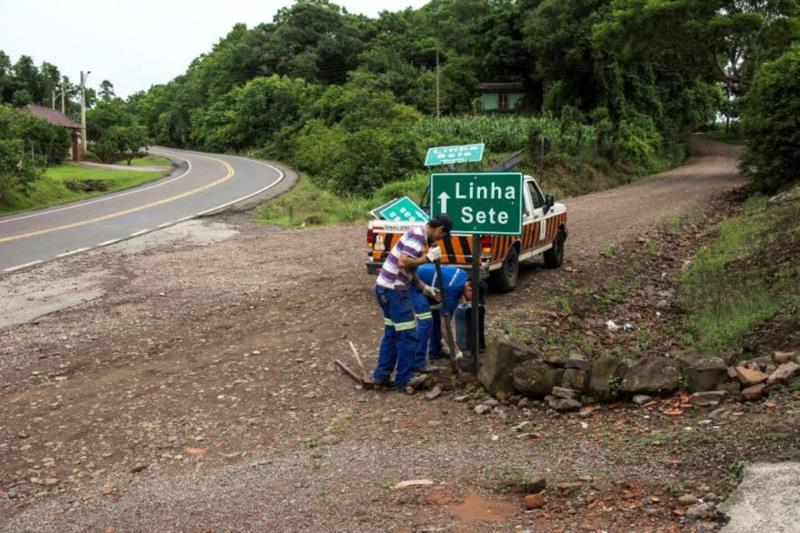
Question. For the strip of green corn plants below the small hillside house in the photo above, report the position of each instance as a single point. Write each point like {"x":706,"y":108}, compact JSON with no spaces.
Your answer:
{"x":501,"y":134}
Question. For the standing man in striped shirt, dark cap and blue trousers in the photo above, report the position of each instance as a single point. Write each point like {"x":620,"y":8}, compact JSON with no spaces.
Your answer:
{"x":392,"y":290}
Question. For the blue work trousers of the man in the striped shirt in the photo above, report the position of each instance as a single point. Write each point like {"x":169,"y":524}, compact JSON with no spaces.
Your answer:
{"x":399,"y":343}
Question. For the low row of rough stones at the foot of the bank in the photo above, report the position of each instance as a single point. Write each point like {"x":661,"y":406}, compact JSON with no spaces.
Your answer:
{"x":566,"y":382}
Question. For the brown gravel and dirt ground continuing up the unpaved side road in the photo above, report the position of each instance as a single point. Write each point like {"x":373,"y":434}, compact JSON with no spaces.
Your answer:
{"x":191,"y":387}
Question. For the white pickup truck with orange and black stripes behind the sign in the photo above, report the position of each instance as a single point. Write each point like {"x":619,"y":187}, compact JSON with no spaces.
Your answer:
{"x":544,"y":231}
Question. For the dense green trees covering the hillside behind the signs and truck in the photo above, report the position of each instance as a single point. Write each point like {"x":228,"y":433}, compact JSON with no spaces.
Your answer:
{"x":344,"y":97}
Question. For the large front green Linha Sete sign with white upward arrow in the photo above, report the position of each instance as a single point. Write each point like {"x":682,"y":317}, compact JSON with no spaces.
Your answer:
{"x":488,"y":203}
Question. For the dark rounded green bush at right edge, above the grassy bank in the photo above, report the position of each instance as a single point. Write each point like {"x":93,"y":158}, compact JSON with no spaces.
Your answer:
{"x":771,"y":124}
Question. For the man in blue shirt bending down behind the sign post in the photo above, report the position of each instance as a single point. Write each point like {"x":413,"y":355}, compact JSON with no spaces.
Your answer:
{"x":427,"y":310}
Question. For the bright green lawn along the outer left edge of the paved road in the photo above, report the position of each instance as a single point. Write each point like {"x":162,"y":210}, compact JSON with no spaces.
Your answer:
{"x":52,"y":188}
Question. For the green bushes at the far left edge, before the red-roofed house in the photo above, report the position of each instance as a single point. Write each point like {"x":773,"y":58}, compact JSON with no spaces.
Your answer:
{"x":27,"y":144}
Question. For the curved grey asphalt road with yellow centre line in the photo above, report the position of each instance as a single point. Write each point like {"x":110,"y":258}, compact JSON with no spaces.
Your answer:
{"x":204,"y":183}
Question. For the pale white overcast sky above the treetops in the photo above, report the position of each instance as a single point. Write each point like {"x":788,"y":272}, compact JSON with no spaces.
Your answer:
{"x":135,"y":44}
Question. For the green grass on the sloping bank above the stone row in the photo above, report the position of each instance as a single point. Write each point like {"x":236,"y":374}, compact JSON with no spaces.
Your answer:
{"x":745,"y":277}
